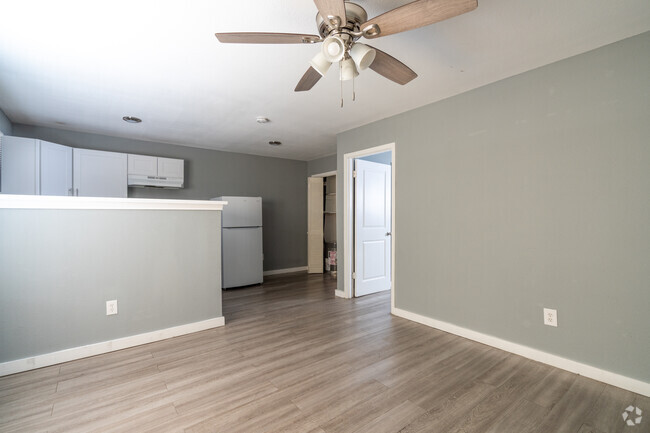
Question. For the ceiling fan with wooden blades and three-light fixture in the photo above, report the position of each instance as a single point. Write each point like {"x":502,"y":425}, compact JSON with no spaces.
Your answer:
{"x":341,"y":23}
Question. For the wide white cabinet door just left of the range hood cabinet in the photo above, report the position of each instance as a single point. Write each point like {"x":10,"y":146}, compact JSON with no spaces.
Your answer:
{"x":99,"y":174}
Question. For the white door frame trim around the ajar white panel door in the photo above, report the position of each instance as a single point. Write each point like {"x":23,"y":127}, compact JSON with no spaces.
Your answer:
{"x":348,"y":218}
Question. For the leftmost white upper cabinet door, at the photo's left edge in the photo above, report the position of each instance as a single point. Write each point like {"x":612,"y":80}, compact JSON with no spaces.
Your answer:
{"x":19,"y":173}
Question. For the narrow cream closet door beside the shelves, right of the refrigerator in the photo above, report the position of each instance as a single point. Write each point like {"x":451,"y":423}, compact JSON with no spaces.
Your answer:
{"x":315,"y":225}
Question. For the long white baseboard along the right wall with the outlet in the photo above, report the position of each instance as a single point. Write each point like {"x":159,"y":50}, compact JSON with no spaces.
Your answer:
{"x":589,"y":371}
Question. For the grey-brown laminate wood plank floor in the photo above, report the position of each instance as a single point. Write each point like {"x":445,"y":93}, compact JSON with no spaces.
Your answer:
{"x":293,"y":358}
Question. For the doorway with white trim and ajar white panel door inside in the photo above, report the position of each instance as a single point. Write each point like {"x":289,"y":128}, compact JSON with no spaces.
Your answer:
{"x":369,"y":209}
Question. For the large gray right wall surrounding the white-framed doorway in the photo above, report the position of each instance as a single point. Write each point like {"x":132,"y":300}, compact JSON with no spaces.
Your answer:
{"x":527,"y":193}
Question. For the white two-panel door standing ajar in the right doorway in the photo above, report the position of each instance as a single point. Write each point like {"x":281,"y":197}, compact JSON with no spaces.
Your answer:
{"x":372,"y":227}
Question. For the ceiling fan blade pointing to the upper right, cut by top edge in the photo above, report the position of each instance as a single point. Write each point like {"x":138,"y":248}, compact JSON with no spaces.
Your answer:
{"x":416,"y":14}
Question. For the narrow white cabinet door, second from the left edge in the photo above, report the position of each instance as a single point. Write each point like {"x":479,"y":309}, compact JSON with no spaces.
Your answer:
{"x":56,"y":169}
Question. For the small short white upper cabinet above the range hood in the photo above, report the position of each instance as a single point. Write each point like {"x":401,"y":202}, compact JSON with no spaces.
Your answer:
{"x":152,"y":171}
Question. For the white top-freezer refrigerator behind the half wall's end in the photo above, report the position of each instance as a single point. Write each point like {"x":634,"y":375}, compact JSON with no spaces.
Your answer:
{"x":241,"y":241}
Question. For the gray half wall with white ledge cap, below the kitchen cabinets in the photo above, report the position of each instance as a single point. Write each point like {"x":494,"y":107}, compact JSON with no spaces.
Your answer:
{"x":59,"y":267}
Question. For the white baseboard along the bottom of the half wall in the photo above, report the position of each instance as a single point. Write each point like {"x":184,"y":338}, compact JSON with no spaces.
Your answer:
{"x":38,"y":361}
